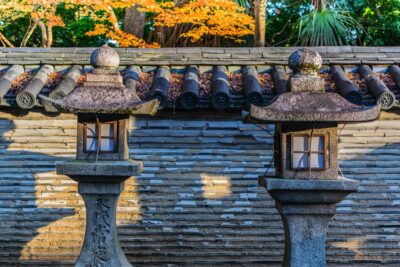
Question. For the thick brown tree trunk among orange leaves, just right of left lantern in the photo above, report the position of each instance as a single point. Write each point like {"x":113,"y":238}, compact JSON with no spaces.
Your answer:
{"x":134,"y":21}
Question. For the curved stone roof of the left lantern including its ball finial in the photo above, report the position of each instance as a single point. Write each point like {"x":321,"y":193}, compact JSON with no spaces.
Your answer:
{"x":103,"y":90}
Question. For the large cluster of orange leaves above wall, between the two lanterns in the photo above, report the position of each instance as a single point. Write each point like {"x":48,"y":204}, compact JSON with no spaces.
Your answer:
{"x":218,"y":18}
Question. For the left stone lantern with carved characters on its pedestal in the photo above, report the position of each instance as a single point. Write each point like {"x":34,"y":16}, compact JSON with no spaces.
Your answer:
{"x":102,"y":163}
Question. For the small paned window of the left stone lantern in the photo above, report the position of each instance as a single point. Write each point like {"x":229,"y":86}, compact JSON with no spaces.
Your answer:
{"x":101,"y":137}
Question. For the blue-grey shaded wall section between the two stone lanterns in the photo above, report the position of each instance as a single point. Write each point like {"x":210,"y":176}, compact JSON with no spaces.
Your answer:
{"x":200,"y":201}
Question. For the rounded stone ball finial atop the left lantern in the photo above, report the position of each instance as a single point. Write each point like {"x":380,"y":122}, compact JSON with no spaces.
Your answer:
{"x":105,"y":57}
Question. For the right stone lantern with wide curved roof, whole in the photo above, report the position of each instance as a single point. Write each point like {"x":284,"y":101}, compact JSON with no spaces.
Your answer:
{"x":307,"y":187}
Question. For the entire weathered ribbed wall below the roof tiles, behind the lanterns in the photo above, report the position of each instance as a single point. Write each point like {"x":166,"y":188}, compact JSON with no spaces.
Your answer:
{"x":197,"y":202}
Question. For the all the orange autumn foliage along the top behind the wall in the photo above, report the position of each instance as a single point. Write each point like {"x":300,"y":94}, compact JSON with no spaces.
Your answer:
{"x":195,"y":21}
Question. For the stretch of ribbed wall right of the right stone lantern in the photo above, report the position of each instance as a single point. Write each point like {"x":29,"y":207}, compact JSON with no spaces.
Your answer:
{"x":366,"y":228}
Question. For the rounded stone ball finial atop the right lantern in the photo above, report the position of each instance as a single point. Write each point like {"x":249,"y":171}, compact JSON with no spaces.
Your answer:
{"x":305,"y":61}
